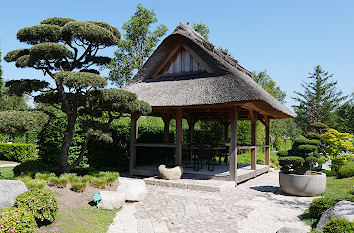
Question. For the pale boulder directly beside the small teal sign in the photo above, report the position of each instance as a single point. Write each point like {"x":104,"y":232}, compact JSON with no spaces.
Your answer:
{"x":111,"y":200}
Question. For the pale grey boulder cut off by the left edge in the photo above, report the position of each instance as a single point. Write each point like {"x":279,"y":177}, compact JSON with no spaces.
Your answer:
{"x":9,"y":190}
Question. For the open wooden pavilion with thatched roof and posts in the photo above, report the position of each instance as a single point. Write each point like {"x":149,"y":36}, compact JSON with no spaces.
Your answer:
{"x":188,"y":77}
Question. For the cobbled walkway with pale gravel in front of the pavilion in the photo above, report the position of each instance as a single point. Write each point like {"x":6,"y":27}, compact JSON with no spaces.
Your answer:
{"x":255,"y":206}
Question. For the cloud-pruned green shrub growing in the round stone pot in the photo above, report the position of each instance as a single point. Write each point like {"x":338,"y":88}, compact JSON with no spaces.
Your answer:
{"x":301,"y":158}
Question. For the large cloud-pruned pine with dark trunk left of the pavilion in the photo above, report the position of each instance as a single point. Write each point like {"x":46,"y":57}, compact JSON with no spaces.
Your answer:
{"x":66,"y":51}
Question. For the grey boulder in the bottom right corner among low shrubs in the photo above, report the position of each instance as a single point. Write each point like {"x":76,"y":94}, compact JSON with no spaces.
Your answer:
{"x":343,"y":209}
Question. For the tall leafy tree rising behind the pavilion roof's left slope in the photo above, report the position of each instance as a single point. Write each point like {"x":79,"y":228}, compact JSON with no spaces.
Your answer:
{"x":138,"y":44}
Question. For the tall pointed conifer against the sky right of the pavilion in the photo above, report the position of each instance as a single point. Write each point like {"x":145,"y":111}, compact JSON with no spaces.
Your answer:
{"x":318,"y":100}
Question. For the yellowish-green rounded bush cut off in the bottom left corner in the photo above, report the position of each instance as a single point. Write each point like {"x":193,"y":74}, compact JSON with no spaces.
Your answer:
{"x":17,"y":220}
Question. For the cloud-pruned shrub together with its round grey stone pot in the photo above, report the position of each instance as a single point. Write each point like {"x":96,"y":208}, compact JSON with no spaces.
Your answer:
{"x":296,"y":177}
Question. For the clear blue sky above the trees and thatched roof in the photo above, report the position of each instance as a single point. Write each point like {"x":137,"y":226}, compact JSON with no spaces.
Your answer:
{"x":286,"y":38}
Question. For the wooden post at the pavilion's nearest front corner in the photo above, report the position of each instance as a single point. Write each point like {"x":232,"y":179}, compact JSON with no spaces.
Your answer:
{"x":233,"y":145}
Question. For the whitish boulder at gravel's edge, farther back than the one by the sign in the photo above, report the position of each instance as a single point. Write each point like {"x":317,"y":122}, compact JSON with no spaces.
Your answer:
{"x":134,"y":190}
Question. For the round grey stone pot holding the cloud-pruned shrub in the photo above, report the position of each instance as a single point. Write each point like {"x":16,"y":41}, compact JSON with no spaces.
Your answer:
{"x":311,"y":184}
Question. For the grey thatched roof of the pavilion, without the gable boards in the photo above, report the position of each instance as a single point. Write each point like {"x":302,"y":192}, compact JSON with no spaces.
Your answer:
{"x":226,"y":82}
